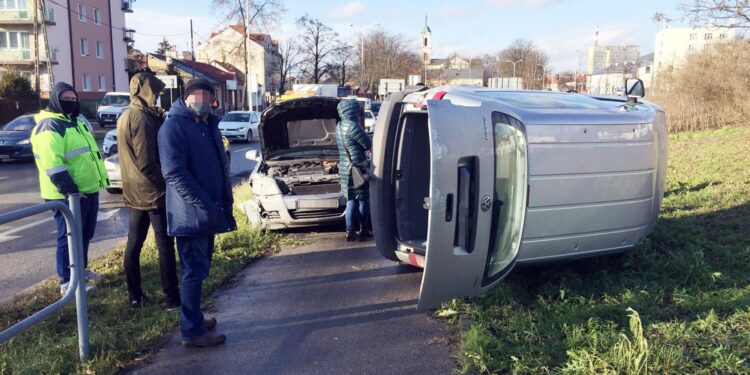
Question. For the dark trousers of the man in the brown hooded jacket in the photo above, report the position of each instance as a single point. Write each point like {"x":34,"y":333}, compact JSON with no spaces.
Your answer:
{"x":137,"y":232}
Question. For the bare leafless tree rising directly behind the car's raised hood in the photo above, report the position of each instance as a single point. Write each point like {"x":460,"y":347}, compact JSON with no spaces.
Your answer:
{"x":318,"y":43}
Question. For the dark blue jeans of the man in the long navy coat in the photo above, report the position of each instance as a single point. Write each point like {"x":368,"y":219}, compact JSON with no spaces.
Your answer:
{"x":195,"y":261}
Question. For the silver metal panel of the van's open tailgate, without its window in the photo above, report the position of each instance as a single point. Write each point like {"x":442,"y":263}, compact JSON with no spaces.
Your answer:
{"x":461,"y":199}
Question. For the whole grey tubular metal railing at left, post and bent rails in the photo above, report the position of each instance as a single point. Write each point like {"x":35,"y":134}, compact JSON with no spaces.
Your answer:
{"x":77,"y":285}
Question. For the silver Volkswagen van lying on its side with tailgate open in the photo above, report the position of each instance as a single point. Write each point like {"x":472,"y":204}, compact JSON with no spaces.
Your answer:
{"x":469,"y":181}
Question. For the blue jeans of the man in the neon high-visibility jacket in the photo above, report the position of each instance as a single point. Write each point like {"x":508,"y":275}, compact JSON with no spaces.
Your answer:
{"x":89,"y":209}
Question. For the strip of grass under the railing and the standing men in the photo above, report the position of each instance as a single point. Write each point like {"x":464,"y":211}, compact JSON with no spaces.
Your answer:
{"x":119,"y":334}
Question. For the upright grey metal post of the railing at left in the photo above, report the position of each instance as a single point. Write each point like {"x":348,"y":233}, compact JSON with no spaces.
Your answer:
{"x":75,"y":249}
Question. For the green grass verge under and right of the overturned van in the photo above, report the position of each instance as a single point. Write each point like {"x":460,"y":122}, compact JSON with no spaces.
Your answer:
{"x":677,"y":304}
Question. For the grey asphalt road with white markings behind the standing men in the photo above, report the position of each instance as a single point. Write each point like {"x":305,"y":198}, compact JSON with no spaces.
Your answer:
{"x":27,"y":247}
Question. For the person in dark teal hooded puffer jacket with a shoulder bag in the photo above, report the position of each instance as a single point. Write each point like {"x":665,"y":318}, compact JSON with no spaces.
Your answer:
{"x":353,"y":141}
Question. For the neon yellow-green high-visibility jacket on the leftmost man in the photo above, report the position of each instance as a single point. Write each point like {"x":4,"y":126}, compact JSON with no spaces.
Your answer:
{"x":61,"y":146}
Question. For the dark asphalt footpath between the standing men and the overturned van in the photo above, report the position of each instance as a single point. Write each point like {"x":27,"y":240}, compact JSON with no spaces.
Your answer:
{"x":326,"y":307}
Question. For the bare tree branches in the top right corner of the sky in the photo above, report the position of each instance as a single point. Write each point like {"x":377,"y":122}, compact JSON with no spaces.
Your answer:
{"x":719,"y":13}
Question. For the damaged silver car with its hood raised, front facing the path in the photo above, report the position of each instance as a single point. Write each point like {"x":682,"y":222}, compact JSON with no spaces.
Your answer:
{"x":295,"y":182}
